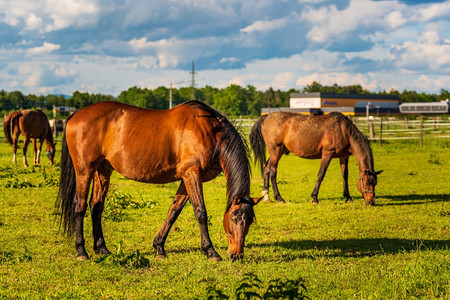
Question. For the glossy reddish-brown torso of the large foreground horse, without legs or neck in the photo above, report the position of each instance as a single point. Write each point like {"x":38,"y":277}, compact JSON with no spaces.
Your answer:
{"x":145,"y":145}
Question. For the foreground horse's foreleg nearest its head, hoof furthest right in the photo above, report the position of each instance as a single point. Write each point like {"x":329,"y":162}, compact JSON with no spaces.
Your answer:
{"x":195,"y":191}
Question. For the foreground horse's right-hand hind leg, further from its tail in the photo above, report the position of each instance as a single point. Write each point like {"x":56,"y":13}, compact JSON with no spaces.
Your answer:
{"x":97,"y":204}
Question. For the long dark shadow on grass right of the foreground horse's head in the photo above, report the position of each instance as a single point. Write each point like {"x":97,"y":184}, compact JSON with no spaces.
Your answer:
{"x":348,"y":248}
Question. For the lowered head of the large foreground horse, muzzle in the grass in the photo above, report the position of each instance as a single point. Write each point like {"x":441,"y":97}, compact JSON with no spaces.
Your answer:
{"x":236,"y":222}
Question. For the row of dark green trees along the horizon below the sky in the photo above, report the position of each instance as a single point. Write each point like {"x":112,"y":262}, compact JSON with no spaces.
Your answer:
{"x":233,"y":100}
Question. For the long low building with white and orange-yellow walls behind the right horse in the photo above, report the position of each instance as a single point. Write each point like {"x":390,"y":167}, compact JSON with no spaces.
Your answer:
{"x":349,"y":104}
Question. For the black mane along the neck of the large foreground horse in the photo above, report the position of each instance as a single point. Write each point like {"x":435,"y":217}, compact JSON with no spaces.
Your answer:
{"x":234,"y":149}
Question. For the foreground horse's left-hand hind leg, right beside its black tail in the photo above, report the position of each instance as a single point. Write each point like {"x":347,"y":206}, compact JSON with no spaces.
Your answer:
{"x":83,"y":183}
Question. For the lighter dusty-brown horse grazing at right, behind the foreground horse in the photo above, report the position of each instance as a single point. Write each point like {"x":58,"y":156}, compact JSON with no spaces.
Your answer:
{"x":326,"y":136}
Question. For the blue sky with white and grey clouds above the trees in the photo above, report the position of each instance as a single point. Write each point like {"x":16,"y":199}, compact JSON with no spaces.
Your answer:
{"x":107,"y":46}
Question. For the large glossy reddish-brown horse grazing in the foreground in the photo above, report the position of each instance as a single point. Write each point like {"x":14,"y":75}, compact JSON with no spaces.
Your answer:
{"x":192,"y":142}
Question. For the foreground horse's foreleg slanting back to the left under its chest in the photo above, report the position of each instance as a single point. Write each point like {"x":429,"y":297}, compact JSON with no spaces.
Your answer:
{"x":174,"y":211}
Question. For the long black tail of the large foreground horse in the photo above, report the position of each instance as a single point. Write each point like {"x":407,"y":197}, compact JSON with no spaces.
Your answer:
{"x":65,"y":204}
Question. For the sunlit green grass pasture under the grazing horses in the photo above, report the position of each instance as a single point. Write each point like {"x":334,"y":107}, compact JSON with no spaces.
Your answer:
{"x":396,"y":250}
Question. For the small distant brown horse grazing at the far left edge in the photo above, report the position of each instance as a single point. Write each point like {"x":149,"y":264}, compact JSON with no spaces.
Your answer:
{"x":32,"y":124}
